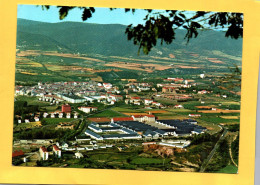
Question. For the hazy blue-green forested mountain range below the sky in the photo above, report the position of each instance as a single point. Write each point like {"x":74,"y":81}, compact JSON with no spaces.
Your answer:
{"x":110,"y":39}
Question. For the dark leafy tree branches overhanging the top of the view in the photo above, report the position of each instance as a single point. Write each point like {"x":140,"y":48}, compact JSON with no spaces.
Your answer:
{"x":161,"y":25}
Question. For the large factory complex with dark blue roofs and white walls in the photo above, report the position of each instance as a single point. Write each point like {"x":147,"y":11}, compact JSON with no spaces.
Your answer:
{"x":137,"y":130}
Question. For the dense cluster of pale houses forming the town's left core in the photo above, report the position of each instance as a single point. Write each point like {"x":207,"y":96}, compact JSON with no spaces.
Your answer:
{"x":71,"y":92}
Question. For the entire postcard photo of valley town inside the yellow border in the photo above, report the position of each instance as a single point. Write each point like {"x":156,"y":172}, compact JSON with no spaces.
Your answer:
{"x":100,"y":94}
